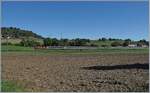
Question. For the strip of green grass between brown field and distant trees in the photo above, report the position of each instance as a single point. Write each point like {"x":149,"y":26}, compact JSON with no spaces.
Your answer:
{"x":29,"y":50}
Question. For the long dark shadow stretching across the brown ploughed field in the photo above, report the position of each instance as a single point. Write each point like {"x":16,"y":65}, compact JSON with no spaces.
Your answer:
{"x":113,"y":67}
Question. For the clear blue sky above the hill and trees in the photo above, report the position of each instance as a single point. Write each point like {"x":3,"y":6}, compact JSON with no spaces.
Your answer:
{"x":79,"y":19}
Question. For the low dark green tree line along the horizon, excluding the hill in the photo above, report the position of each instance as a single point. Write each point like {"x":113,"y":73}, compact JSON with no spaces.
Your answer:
{"x":78,"y":42}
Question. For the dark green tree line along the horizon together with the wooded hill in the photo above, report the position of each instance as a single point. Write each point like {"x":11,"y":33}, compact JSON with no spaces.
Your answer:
{"x":14,"y":32}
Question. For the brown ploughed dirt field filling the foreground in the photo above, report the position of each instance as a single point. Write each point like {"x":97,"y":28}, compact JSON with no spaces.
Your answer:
{"x":101,"y":72}
